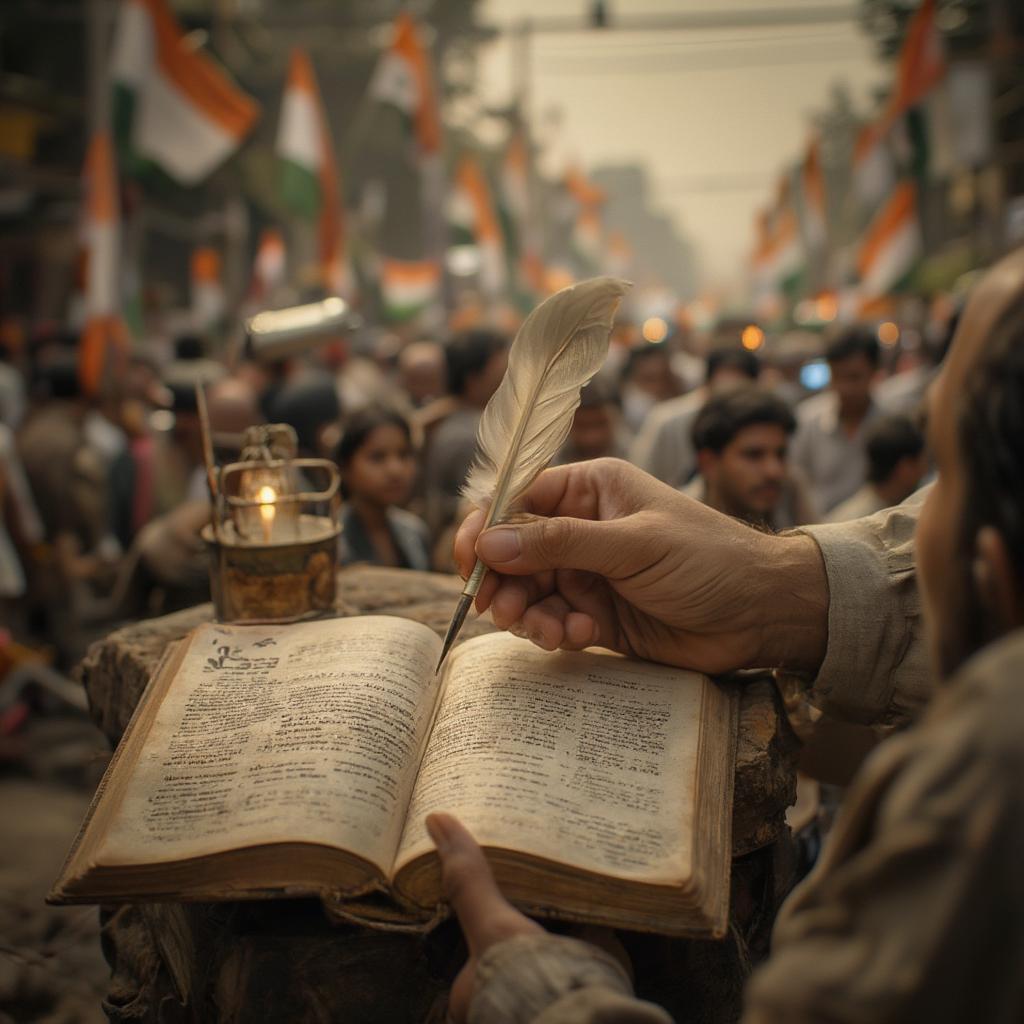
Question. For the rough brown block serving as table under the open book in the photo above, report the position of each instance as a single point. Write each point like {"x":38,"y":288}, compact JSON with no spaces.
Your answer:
{"x":284,"y":961}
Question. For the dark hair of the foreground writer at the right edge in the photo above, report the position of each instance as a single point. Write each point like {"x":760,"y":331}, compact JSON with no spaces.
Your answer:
{"x":991,"y":433}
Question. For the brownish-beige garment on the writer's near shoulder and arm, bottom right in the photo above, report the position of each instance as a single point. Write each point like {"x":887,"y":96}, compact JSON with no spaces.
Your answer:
{"x":914,"y":912}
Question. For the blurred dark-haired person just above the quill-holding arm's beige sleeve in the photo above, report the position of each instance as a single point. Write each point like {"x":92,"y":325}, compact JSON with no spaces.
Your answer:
{"x":897,"y":465}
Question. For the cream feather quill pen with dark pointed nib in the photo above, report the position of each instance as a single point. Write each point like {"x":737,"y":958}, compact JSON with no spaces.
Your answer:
{"x":561,"y":347}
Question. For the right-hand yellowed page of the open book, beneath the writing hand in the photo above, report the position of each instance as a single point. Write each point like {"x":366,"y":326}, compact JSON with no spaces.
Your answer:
{"x":587,"y":759}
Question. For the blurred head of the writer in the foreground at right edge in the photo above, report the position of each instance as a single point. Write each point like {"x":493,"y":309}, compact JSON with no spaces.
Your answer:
{"x":970,"y":539}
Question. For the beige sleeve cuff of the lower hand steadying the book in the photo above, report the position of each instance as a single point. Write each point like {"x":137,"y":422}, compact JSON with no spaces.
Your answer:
{"x":549,"y":979}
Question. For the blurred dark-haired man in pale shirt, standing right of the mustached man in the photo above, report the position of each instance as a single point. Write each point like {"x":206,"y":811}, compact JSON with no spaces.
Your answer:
{"x":829,"y":445}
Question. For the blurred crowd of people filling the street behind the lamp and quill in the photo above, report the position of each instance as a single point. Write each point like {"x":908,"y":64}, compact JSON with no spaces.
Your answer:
{"x":104,"y":497}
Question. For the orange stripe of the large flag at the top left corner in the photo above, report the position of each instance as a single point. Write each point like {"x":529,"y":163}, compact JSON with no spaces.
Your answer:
{"x":198,"y":78}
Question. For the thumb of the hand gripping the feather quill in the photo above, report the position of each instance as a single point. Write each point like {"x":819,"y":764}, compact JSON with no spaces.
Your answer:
{"x":561,"y":543}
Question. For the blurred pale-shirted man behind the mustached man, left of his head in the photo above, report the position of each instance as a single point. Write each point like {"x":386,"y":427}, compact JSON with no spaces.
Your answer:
{"x":664,"y":447}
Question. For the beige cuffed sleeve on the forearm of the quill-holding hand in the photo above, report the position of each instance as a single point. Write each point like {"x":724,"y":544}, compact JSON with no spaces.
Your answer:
{"x":876,"y":668}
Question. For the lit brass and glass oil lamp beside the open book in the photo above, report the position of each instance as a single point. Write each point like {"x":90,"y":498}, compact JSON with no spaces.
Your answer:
{"x":274,"y":535}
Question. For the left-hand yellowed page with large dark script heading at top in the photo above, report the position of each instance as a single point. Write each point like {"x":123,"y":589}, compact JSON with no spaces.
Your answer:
{"x":310,"y":733}
